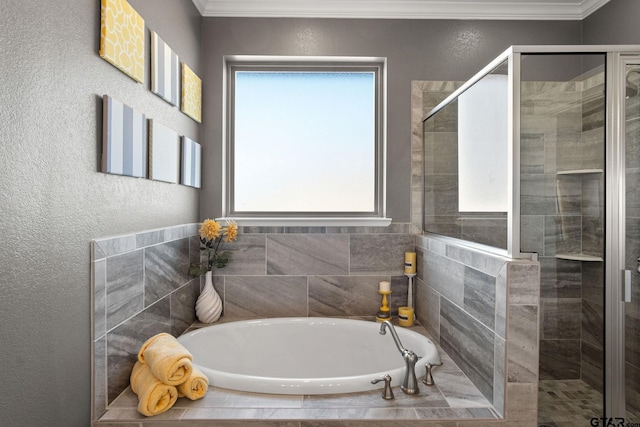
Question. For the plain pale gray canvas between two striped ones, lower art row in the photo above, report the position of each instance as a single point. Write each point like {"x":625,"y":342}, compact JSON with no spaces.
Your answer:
{"x":164,"y":153}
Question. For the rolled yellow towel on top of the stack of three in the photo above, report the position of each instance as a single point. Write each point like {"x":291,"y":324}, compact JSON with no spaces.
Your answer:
{"x":169,"y":361}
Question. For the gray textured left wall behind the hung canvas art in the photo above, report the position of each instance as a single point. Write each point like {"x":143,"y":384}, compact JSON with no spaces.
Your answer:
{"x":53,"y":200}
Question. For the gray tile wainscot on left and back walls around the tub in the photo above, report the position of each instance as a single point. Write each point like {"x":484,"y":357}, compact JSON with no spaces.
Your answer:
{"x":141,"y":284}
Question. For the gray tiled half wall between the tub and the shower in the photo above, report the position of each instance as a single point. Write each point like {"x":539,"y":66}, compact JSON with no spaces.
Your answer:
{"x":483,"y":310}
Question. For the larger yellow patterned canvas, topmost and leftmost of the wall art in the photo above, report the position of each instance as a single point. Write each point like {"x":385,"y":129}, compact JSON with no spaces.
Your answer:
{"x":122,"y":37}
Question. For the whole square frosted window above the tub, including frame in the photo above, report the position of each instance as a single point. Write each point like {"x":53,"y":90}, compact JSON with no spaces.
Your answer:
{"x":305,"y":138}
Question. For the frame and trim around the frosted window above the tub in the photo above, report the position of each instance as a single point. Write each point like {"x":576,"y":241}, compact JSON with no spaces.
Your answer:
{"x":377,"y":65}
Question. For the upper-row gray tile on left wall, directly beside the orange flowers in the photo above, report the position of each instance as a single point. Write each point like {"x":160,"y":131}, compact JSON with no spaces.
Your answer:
{"x":166,"y":269}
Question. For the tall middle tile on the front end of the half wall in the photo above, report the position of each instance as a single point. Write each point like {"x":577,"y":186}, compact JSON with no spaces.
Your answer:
{"x":522,"y":344}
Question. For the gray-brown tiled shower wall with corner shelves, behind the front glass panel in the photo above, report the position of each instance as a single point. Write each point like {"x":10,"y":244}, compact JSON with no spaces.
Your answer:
{"x":563,"y":129}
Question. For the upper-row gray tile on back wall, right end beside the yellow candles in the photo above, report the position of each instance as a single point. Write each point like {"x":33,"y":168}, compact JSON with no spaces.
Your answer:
{"x":379,"y":253}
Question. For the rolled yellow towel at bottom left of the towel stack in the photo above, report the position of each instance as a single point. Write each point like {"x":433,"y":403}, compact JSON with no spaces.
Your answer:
{"x":154,"y":397}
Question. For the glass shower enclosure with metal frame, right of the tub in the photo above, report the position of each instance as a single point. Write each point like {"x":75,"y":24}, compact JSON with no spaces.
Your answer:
{"x":538,"y":156}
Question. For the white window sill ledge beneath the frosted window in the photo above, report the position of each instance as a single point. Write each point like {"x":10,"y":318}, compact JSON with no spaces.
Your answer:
{"x":309,"y":222}
